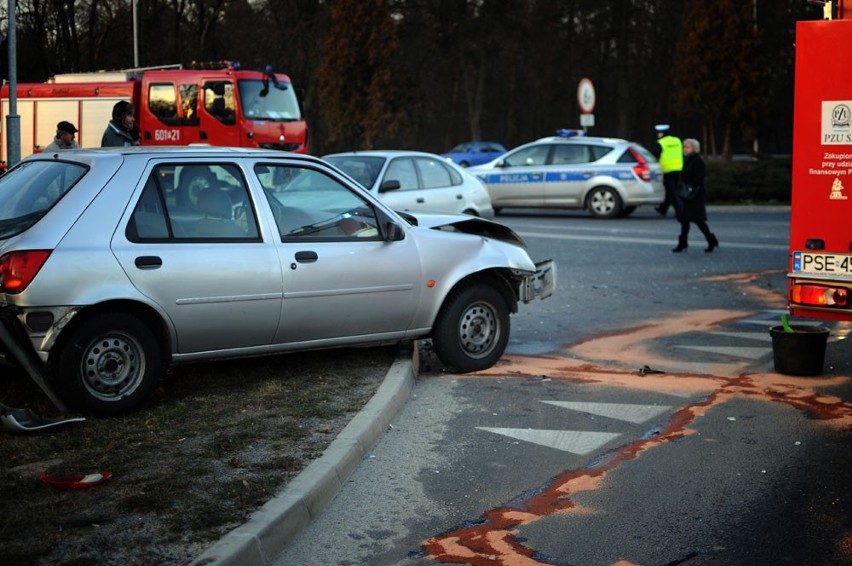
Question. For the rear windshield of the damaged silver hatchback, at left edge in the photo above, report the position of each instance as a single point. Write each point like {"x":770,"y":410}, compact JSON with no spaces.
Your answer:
{"x":28,"y":191}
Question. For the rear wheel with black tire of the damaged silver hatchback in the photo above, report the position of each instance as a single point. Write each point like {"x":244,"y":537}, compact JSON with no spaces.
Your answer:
{"x":110,"y":364}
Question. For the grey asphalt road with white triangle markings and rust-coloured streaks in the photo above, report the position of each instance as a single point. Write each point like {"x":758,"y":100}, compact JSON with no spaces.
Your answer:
{"x":568,"y":452}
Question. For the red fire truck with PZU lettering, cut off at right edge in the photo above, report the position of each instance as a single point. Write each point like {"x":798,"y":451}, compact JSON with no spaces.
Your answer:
{"x":820,"y":269}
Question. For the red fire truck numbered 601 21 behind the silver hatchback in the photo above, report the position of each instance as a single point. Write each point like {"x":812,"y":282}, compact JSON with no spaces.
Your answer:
{"x":174,"y":106}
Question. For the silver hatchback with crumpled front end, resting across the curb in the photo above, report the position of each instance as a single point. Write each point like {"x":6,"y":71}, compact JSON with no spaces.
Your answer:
{"x":115,"y":263}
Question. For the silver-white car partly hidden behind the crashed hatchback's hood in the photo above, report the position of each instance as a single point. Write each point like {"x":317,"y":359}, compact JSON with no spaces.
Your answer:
{"x":414,"y":180}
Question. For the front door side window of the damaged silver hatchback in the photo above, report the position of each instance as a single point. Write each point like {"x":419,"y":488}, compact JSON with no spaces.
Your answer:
{"x":309,"y":205}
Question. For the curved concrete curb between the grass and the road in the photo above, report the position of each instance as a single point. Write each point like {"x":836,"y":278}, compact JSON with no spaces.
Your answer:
{"x":280,"y":520}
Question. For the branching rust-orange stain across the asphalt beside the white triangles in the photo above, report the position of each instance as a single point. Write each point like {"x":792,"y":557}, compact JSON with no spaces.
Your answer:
{"x":492,"y":540}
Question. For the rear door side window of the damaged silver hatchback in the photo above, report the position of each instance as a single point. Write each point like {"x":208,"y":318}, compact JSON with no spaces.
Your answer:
{"x":194,"y":202}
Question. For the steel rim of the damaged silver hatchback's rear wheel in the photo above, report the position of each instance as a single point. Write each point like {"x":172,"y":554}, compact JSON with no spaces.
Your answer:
{"x":112,"y":366}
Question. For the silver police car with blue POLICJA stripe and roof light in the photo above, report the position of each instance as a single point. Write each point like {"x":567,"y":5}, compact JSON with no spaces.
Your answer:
{"x":609,"y":177}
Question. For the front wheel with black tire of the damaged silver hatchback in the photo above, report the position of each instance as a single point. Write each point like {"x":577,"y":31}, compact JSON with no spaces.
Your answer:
{"x":472,"y":329}
